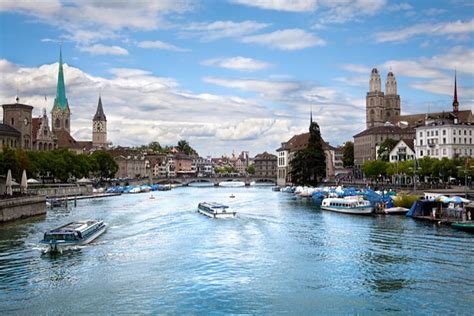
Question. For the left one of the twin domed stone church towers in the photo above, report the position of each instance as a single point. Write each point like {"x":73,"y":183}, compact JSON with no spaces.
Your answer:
{"x":375,"y":101}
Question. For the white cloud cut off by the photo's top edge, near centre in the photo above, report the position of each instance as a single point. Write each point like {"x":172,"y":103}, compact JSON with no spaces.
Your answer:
{"x":281,"y":5}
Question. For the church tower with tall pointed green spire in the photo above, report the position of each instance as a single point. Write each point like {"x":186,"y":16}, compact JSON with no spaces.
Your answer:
{"x":61,"y":114}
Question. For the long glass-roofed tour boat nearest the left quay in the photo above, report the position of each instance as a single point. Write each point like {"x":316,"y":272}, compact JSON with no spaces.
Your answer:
{"x":73,"y":234}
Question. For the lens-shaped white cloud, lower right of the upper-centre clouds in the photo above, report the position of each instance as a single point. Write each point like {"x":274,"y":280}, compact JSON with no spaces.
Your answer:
{"x":289,"y":39}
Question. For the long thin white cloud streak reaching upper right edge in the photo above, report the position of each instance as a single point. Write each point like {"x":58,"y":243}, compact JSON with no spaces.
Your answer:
{"x":439,"y":29}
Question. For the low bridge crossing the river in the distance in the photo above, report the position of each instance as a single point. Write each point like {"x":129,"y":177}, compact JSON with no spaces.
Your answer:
{"x":185,"y":181}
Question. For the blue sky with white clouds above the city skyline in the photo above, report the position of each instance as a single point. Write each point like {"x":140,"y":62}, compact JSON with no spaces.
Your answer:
{"x":233,"y":75}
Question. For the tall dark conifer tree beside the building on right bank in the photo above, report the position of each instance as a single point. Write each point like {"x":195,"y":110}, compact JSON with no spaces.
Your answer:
{"x":308,"y":166}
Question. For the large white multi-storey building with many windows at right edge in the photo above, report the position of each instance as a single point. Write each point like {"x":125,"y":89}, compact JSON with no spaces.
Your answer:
{"x":442,"y":138}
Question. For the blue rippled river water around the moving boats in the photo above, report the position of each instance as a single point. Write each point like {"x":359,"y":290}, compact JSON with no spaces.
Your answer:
{"x":279,"y":255}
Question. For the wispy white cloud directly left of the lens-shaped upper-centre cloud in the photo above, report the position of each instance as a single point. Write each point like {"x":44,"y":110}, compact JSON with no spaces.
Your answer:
{"x":222,"y":29}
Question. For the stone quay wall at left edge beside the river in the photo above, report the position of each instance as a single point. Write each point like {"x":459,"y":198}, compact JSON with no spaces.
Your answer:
{"x":21,"y":207}
